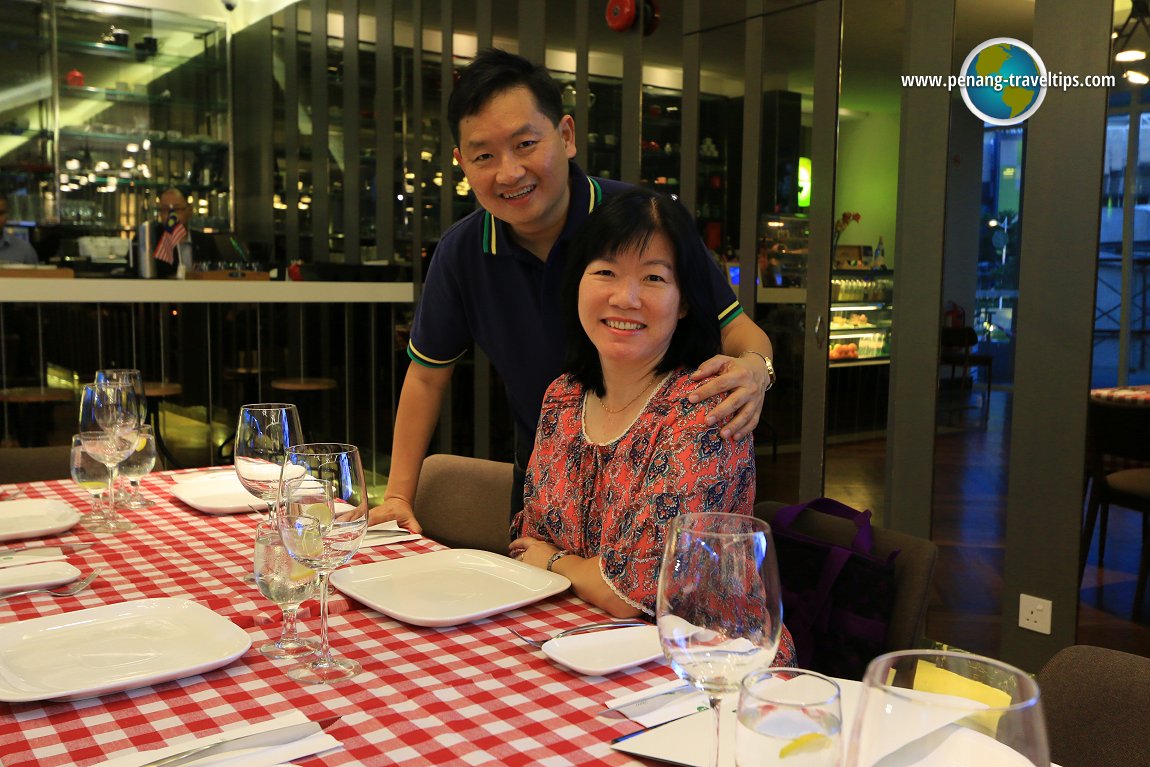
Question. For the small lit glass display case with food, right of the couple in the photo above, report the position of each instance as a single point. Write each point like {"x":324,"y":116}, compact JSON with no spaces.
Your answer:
{"x":861,"y":317}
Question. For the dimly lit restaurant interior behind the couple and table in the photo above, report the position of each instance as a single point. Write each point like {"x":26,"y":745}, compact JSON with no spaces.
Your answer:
{"x":937,"y":349}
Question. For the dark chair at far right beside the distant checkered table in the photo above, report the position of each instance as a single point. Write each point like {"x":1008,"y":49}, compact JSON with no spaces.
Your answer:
{"x":1118,"y":457}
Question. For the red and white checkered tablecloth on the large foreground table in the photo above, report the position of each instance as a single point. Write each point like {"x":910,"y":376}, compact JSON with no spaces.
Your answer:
{"x":469,"y":695}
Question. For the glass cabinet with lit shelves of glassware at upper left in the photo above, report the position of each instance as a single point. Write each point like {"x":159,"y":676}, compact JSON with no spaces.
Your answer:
{"x":117,"y":104}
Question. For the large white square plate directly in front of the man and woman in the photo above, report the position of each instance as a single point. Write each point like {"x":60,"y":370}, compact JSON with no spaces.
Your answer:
{"x":448,"y":588}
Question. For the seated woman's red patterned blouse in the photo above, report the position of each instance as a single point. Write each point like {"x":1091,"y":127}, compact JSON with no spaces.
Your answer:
{"x":615,"y":501}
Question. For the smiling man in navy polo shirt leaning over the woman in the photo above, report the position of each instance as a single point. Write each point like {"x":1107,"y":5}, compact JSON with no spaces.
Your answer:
{"x":496,"y":275}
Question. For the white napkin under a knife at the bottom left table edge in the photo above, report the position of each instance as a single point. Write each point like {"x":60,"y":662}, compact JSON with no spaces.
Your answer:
{"x":270,"y":757}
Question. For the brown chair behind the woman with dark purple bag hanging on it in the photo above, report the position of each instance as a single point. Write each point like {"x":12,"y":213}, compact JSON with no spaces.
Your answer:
{"x":914,"y":569}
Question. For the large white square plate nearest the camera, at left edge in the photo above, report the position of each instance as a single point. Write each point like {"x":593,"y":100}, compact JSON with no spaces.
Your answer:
{"x":90,"y":653}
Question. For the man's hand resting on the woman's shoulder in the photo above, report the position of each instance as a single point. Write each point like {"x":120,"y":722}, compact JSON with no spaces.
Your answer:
{"x":746,"y":378}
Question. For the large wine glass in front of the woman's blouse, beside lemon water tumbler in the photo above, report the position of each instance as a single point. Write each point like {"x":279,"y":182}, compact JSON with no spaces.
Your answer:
{"x":719,"y":608}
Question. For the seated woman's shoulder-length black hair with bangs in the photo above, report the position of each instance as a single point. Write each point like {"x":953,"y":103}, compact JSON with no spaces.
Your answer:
{"x":628,"y":221}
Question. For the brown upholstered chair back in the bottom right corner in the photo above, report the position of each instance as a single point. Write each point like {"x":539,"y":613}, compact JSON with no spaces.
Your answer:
{"x":1098,"y":704}
